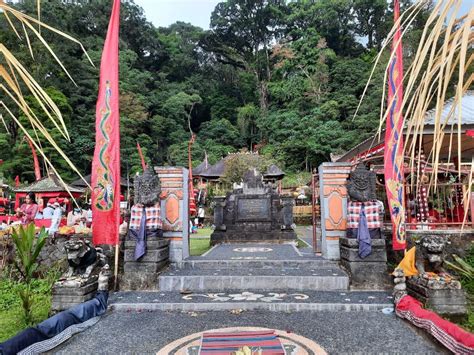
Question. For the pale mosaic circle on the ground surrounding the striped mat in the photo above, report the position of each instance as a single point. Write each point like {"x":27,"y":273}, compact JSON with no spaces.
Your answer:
{"x":292,"y":343}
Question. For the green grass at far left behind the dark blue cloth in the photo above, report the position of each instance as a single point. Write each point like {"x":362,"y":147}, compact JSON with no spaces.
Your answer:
{"x":11,"y":312}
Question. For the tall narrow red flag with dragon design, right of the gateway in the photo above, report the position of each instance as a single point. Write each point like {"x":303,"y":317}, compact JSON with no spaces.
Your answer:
{"x":393,"y":153}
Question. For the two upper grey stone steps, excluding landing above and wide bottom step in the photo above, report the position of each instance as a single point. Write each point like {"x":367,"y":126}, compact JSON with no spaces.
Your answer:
{"x":254,"y":275}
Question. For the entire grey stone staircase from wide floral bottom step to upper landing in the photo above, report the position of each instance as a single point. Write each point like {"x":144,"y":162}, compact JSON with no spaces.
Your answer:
{"x":250,"y":277}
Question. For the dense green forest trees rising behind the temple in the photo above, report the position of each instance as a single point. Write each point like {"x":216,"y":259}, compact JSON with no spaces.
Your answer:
{"x":283,"y":77}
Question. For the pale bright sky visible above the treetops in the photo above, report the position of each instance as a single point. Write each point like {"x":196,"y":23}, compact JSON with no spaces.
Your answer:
{"x":163,"y":13}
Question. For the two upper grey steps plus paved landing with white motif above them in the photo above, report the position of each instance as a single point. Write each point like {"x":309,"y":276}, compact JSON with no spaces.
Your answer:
{"x":250,"y":266}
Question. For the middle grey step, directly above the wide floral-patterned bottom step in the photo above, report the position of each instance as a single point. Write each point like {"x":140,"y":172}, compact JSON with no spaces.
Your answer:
{"x":272,"y":278}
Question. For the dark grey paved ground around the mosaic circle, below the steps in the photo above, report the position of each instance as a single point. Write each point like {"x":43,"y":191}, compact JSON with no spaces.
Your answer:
{"x":336,"y":332}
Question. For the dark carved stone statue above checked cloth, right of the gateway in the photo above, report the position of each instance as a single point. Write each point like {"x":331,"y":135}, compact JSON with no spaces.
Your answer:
{"x":361,"y":184}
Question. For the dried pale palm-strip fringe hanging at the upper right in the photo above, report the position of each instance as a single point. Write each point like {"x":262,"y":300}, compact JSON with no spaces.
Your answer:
{"x":442,"y":59}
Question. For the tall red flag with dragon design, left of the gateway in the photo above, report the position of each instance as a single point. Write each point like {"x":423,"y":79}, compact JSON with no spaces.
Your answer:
{"x":105,"y":178}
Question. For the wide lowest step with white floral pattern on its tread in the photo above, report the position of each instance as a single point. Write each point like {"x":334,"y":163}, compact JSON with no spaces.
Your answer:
{"x":278,"y":301}
